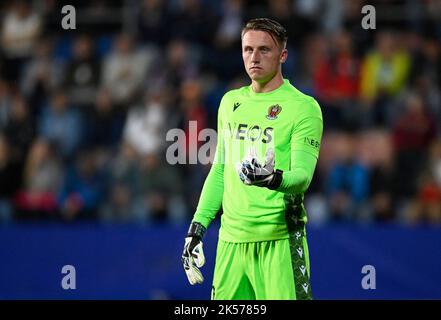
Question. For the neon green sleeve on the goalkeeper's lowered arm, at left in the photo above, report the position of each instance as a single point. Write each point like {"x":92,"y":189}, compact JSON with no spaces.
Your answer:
{"x":210,"y":200}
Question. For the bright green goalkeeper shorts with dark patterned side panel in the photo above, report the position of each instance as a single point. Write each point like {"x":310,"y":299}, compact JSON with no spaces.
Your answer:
{"x":267,"y":270}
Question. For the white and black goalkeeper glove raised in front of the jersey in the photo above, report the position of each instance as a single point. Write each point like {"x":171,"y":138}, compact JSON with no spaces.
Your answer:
{"x":251,"y":172}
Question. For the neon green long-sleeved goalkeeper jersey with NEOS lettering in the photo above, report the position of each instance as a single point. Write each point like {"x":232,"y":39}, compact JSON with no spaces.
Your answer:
{"x":284,"y":119}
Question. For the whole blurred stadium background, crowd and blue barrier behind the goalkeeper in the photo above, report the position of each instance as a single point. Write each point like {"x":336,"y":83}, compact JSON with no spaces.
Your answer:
{"x":84,"y":113}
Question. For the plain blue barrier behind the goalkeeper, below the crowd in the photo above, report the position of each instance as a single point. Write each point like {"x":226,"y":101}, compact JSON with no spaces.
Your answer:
{"x":136,"y":262}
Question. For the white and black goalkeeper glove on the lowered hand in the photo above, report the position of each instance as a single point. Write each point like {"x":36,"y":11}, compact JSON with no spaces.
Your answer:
{"x":193,"y":256}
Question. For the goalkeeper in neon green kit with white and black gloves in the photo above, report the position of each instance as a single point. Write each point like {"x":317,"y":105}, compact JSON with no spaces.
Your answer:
{"x":268,"y":144}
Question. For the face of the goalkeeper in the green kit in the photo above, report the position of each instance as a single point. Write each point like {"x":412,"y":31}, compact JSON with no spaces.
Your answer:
{"x":261,"y":55}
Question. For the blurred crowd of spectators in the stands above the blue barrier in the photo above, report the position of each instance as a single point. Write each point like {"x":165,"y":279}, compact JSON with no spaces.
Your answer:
{"x":84,"y":113}
